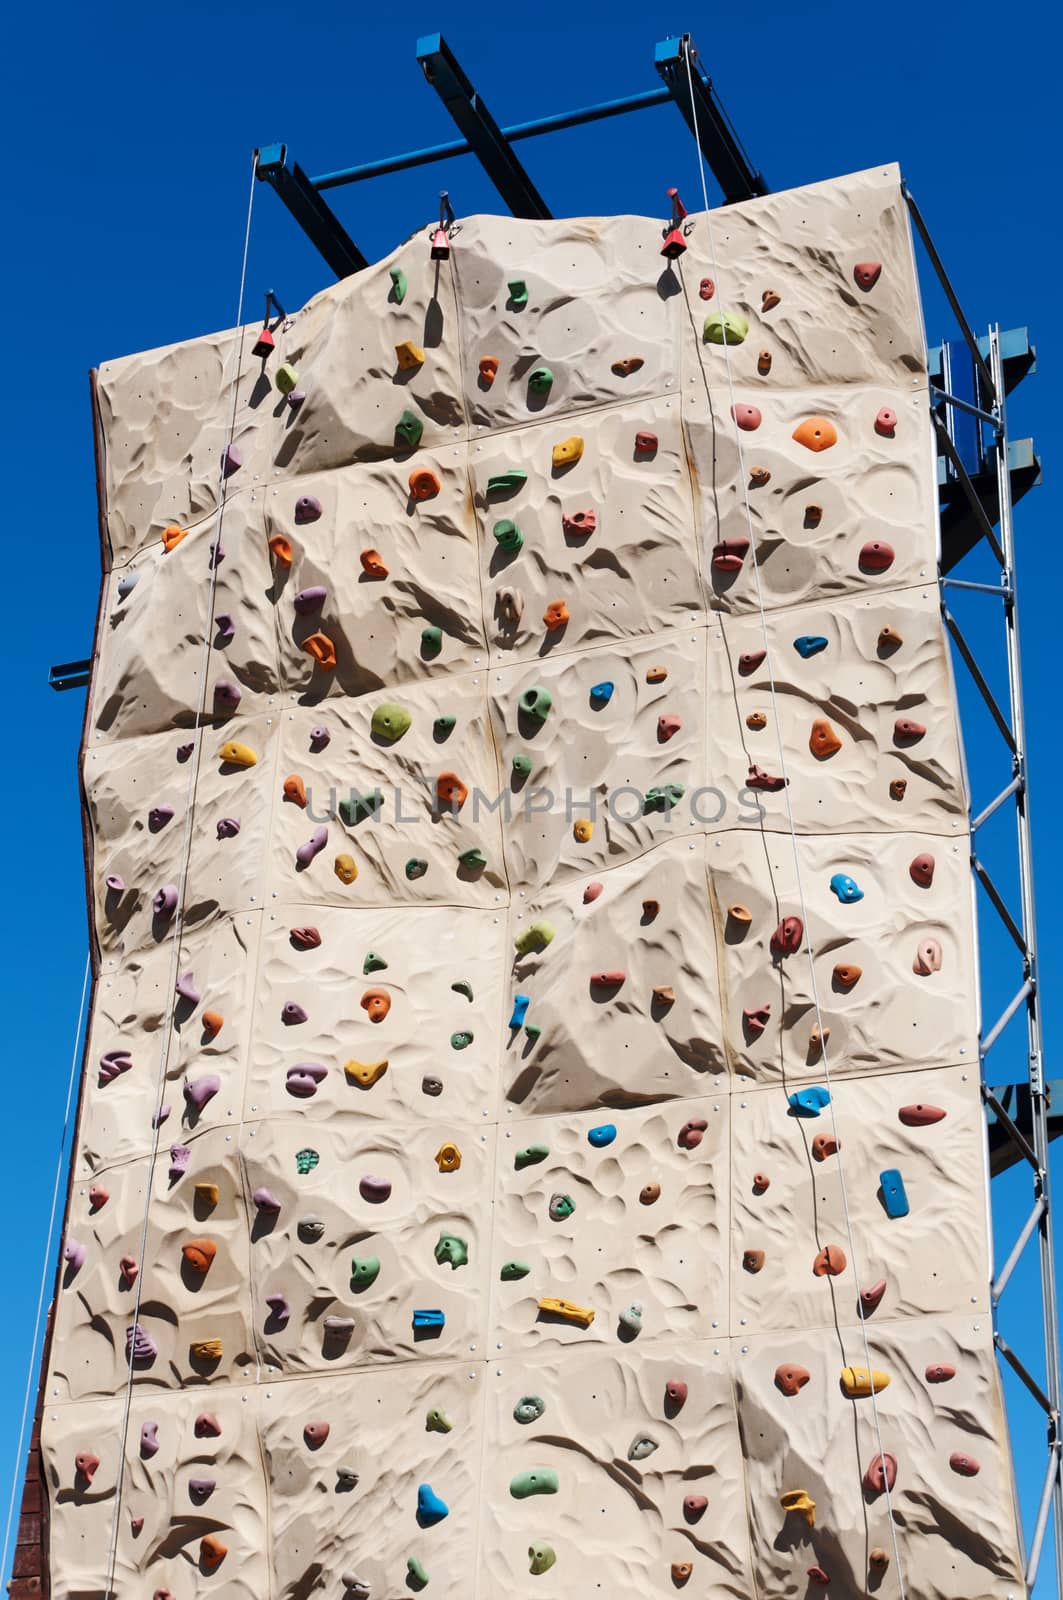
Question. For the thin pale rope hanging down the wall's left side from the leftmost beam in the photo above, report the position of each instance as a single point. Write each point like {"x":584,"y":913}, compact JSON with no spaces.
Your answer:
{"x":179,"y":924}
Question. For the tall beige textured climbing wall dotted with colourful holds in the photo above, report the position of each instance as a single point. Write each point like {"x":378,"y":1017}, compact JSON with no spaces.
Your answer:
{"x":531,"y":1138}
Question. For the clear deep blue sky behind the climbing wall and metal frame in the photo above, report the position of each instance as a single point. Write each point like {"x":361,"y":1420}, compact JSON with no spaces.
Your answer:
{"x":129,"y":138}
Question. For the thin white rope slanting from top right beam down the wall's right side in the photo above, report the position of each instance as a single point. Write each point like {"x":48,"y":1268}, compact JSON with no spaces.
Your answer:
{"x":790,"y":817}
